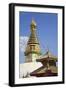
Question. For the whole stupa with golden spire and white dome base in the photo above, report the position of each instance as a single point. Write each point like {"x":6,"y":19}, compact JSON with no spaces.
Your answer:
{"x":32,"y":52}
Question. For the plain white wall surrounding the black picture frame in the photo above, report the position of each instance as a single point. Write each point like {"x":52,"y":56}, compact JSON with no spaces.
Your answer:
{"x":4,"y":44}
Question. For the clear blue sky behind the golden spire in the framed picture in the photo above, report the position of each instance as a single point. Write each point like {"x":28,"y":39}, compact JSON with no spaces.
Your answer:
{"x":47,"y":30}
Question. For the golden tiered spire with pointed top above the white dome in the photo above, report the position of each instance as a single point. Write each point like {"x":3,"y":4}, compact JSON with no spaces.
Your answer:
{"x":33,"y":43}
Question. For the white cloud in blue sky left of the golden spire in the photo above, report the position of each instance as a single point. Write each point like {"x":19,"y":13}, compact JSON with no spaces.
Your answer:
{"x":23,"y":43}
